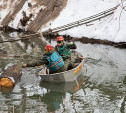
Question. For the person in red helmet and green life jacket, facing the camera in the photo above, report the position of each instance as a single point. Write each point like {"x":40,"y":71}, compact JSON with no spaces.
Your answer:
{"x":64,"y":50}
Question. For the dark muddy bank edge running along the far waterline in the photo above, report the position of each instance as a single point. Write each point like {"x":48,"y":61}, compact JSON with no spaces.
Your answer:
{"x":83,"y":40}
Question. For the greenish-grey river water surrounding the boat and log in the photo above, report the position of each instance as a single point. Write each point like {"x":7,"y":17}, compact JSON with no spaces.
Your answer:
{"x":102,"y":85}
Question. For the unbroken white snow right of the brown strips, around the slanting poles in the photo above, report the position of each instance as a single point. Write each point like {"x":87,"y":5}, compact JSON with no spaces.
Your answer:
{"x":111,"y":28}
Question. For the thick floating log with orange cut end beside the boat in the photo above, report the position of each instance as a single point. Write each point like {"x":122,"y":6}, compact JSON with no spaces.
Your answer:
{"x":10,"y":76}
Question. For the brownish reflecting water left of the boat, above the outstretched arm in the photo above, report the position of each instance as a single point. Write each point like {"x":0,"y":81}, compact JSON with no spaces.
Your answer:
{"x":20,"y":51}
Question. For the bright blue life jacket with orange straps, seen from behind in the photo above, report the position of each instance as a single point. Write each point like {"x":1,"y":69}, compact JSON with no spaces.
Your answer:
{"x":55,"y":61}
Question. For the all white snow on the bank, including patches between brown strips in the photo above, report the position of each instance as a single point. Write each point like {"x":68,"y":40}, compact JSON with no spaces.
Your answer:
{"x":110,"y":28}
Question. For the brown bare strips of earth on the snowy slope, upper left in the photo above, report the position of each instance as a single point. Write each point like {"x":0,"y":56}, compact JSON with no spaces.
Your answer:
{"x":47,"y":10}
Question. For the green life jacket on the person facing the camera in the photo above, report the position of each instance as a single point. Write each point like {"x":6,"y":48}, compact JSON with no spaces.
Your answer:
{"x":64,"y":51}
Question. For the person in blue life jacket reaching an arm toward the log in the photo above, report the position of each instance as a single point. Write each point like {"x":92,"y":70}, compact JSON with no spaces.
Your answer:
{"x":53,"y":61}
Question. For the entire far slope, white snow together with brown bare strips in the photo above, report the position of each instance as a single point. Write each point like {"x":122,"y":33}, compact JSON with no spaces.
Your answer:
{"x":111,"y":28}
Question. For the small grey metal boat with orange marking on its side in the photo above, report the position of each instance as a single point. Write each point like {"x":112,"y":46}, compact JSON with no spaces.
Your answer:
{"x":66,"y":76}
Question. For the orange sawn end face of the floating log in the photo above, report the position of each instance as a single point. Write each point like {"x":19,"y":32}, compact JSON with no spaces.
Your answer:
{"x":6,"y":82}
